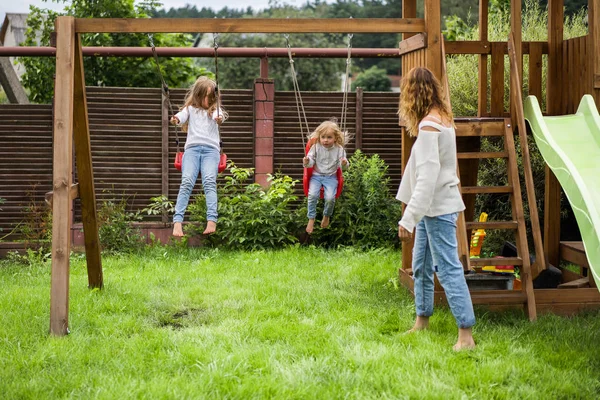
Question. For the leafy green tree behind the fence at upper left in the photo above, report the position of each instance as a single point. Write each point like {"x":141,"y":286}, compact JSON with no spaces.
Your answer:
{"x":104,"y":71}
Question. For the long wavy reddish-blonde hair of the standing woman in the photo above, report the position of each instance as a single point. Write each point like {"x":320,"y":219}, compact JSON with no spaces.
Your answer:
{"x":420,"y":92}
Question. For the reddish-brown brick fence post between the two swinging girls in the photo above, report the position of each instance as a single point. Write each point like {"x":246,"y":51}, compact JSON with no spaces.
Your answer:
{"x":264,"y":114}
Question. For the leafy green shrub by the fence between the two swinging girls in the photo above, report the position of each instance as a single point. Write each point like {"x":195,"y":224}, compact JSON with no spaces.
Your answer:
{"x":250,"y":216}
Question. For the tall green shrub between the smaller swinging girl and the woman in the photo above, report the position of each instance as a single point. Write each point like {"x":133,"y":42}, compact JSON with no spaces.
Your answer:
{"x":365,"y":214}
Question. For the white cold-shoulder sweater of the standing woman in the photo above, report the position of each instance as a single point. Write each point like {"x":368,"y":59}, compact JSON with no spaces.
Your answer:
{"x":429,"y":185}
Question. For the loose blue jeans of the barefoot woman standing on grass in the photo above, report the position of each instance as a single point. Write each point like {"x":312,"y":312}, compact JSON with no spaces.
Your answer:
{"x":436,"y":250}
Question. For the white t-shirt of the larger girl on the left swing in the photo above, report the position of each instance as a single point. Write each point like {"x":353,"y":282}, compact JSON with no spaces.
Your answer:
{"x":202,"y":128}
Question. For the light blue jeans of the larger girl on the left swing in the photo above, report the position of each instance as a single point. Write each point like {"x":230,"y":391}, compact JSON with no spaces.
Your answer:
{"x":198,"y":159}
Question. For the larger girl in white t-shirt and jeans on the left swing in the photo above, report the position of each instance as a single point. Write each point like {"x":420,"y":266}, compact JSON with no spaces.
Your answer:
{"x":202,"y":116}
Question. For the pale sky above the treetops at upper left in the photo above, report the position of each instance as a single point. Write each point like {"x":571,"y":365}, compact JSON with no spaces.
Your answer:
{"x":22,"y":6}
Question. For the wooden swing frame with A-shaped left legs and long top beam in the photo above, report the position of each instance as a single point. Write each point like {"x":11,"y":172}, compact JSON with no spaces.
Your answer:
{"x":71,"y":123}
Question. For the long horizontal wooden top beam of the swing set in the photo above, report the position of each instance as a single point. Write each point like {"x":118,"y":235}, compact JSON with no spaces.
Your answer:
{"x":249,"y":25}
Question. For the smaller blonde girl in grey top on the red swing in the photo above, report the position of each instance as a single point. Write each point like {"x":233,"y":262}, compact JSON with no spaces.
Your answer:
{"x":326,"y":155}
